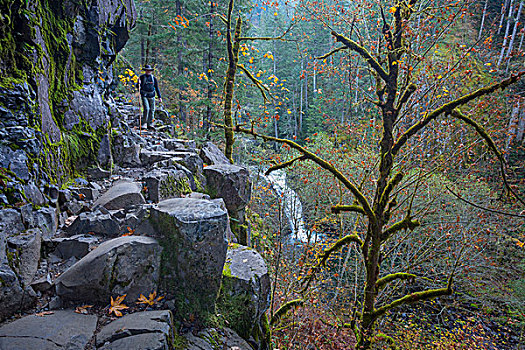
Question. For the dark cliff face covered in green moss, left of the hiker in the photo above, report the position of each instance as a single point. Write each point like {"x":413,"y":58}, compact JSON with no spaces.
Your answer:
{"x":55,"y":74}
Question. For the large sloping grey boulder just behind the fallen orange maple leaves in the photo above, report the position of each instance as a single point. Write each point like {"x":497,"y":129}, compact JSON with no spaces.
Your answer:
{"x":126,"y":265}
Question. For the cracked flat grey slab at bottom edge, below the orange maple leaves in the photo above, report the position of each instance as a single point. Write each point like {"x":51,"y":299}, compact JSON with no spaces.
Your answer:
{"x":152,"y":330}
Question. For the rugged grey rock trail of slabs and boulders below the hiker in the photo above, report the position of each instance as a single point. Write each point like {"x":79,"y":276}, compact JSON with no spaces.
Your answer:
{"x":143,"y":227}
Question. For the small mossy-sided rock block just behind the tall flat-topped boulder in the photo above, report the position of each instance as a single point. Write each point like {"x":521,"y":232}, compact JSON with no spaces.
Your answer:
{"x":166,"y":183}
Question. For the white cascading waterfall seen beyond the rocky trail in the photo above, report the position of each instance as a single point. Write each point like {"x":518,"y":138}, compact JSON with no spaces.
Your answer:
{"x":293,"y":208}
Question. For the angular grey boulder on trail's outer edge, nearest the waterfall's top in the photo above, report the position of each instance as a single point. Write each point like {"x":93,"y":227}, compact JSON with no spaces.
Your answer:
{"x":231,"y":183}
